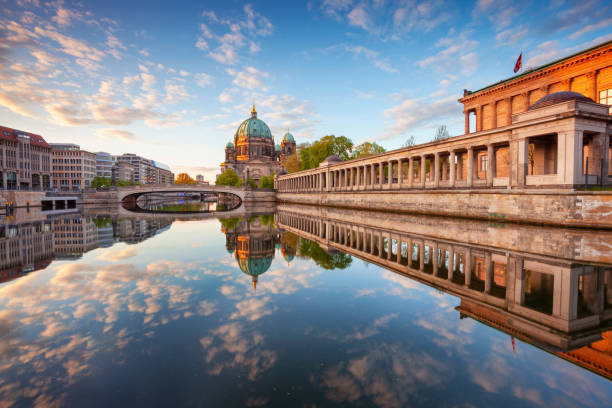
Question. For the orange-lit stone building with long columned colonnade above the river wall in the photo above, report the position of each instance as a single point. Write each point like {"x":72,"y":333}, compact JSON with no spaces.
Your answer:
{"x":548,"y":127}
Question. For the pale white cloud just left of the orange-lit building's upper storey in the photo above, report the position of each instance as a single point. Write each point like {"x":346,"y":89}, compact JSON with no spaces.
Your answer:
{"x":417,"y":112}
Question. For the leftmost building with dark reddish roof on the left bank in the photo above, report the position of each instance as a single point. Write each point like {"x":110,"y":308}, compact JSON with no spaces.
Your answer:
{"x":25,"y":160}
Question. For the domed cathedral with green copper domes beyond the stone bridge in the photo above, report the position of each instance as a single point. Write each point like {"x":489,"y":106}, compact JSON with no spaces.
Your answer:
{"x":253,"y":153}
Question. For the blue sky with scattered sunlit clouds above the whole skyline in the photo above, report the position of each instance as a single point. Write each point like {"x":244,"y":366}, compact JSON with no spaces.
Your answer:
{"x":171,"y":81}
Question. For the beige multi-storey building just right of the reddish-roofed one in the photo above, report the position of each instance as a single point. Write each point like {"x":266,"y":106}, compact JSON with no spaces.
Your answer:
{"x":73,"y":168}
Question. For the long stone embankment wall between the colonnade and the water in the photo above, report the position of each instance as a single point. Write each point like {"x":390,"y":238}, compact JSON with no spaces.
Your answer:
{"x":543,"y":207}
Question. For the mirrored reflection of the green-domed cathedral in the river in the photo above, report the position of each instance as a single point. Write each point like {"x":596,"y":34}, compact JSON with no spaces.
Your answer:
{"x":253,"y":241}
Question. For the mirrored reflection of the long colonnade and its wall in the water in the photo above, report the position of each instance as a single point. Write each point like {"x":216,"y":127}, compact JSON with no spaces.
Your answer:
{"x":560,"y":303}
